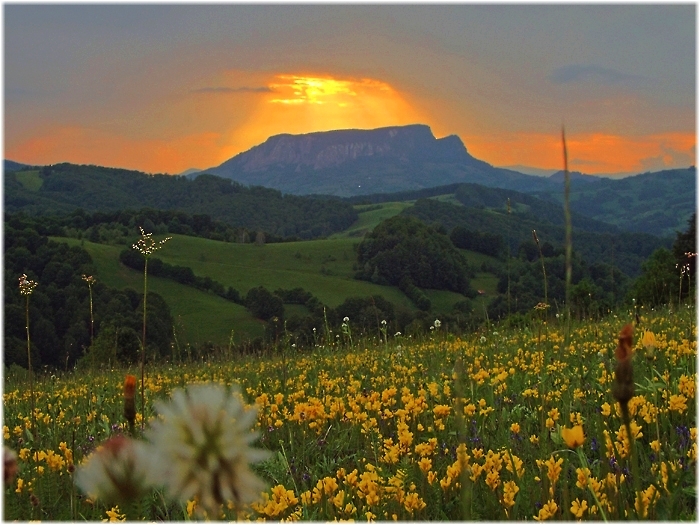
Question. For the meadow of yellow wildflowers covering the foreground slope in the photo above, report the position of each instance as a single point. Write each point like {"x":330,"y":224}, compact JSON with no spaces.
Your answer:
{"x":504,"y":424}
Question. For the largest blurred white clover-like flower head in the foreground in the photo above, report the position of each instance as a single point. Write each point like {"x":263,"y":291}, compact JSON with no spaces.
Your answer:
{"x":201,"y":447}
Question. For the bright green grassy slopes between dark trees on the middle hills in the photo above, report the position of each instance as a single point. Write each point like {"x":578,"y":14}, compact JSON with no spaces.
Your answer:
{"x":322,"y":267}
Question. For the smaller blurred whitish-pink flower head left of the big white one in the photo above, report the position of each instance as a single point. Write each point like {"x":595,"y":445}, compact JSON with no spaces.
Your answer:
{"x":116,"y":472}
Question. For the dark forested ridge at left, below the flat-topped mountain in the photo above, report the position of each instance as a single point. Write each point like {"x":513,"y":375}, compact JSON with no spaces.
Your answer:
{"x":61,"y":188}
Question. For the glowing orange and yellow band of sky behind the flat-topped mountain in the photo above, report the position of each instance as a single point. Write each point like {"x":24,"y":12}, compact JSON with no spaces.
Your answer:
{"x":302,"y":103}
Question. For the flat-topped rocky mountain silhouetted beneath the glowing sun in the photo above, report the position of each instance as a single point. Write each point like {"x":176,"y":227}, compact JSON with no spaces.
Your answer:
{"x":355,"y":162}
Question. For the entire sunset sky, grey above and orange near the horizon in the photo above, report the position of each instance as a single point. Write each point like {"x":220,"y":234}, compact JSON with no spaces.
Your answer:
{"x":164,"y":88}
